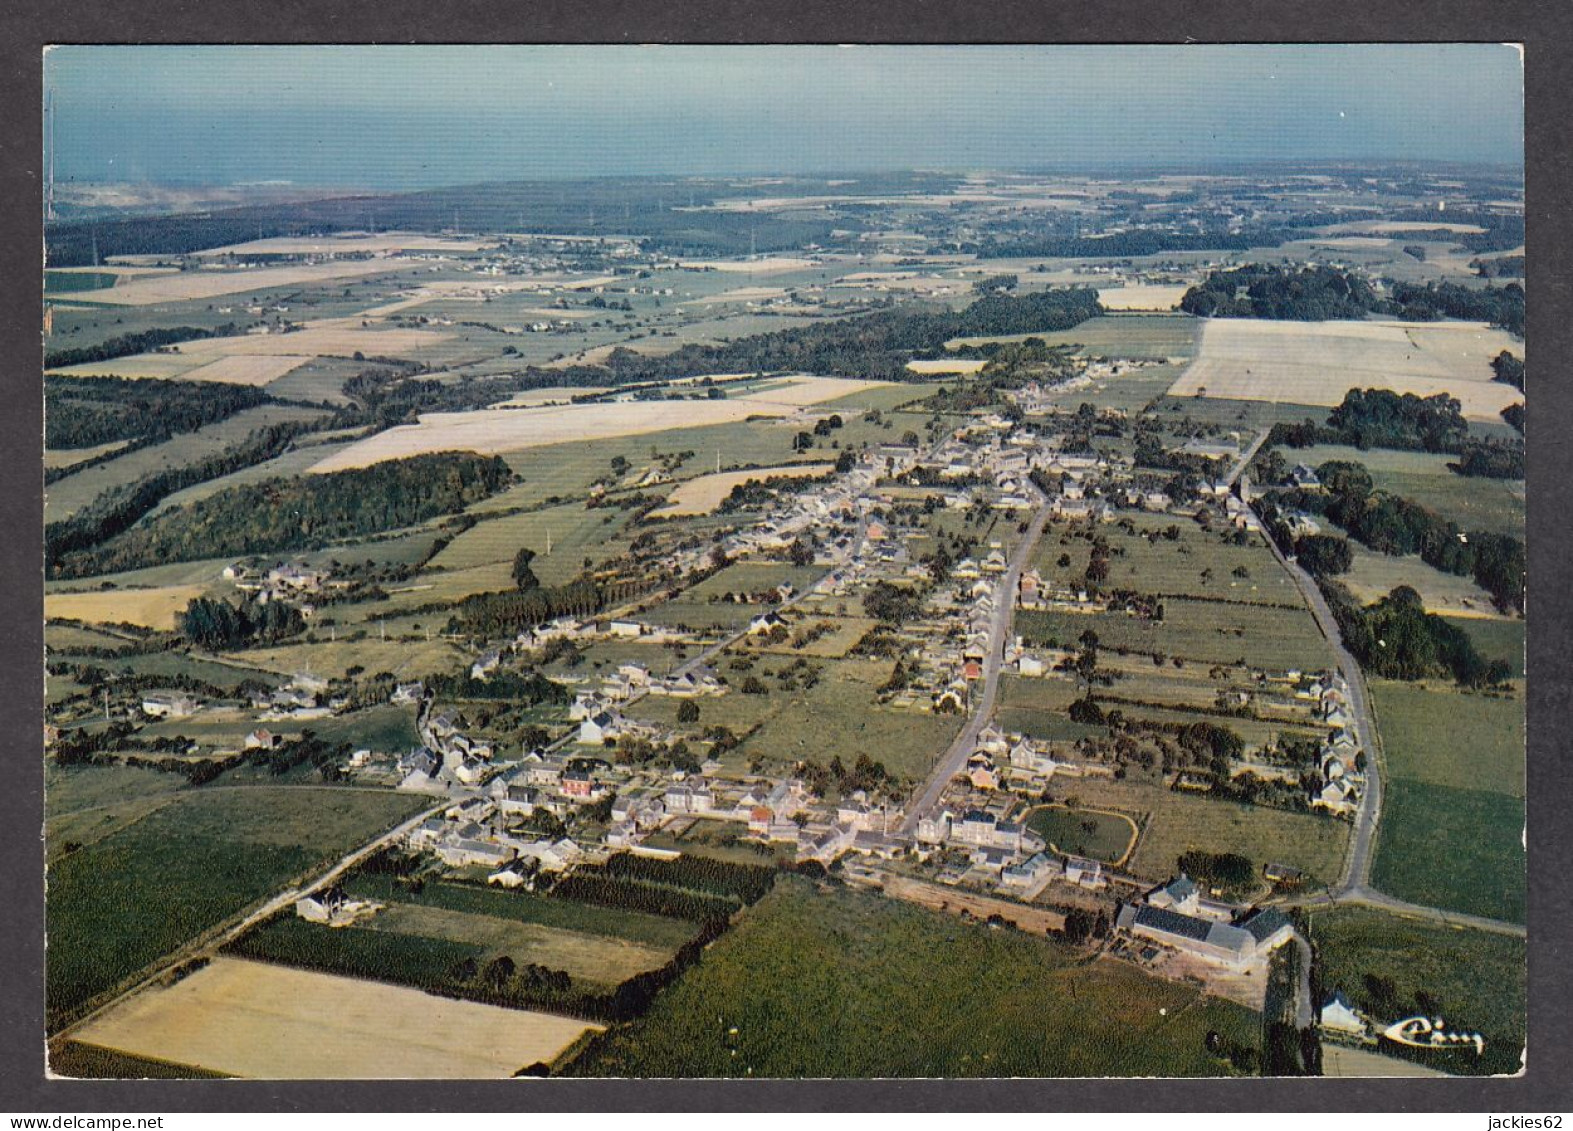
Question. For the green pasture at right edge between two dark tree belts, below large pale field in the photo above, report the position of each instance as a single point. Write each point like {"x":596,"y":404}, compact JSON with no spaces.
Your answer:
{"x":1475,"y":504}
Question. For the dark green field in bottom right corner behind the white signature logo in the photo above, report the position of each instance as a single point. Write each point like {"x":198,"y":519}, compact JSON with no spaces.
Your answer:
{"x":1476,"y":978}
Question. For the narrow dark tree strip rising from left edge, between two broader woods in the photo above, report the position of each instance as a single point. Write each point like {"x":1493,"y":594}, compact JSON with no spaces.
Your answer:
{"x":117,"y":510}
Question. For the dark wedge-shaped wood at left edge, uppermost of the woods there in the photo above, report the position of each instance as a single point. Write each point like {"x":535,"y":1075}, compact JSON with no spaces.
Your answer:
{"x":83,"y":413}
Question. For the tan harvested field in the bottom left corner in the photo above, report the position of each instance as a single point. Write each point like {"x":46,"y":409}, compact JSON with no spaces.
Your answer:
{"x":263,"y":1022}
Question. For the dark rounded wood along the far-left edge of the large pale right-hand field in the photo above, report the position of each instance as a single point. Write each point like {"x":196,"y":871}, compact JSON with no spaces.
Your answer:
{"x":1310,"y":295}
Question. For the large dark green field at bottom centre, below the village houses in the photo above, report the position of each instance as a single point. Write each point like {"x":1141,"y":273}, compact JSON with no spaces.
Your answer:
{"x":816,"y":984}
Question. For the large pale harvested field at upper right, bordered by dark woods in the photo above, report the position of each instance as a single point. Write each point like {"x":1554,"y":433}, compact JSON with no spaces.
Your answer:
{"x":1245,"y":359}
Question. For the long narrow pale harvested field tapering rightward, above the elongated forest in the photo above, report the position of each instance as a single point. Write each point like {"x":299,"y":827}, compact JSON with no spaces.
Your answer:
{"x":493,"y":432}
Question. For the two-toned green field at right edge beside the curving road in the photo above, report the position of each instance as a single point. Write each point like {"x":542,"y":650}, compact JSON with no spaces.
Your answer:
{"x":1454,"y":806}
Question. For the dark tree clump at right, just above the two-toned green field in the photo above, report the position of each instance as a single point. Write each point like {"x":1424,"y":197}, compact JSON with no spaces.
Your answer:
{"x":1398,"y":639}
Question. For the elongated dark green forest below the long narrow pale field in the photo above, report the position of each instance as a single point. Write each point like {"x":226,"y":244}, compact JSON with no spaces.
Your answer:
{"x":300,"y":514}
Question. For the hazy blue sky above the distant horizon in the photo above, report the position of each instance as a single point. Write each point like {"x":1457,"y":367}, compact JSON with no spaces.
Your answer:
{"x":413,"y":117}
